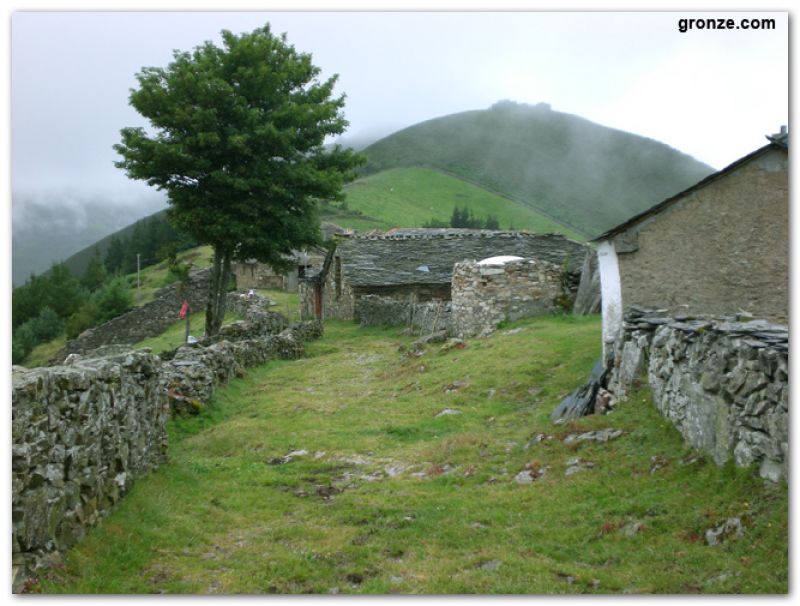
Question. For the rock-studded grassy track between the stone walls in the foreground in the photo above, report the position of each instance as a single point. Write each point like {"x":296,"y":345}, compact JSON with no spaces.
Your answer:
{"x":387,"y":495}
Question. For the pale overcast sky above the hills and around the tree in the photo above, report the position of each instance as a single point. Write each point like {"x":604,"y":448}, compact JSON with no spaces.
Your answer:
{"x":711,"y":94}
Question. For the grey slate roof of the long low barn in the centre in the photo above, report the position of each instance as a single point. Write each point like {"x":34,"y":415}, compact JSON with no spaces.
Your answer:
{"x":427,"y":257}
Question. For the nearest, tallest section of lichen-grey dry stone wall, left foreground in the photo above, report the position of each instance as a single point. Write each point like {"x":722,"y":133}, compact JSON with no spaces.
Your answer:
{"x":81,"y":434}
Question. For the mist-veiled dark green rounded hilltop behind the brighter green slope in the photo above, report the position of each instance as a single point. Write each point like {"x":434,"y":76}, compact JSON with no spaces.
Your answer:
{"x":577,"y":172}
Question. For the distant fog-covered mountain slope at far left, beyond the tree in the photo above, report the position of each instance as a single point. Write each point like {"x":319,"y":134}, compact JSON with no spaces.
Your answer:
{"x":51,"y":229}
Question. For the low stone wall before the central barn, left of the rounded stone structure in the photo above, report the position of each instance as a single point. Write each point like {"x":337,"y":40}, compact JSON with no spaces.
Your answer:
{"x":424,"y":318}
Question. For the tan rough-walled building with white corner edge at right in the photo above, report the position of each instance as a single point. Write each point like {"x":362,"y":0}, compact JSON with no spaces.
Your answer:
{"x":719,"y":247}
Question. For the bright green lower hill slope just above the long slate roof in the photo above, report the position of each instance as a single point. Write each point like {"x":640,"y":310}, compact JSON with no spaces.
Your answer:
{"x":410,"y":197}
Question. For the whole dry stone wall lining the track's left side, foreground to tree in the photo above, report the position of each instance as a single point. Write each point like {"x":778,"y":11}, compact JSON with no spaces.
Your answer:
{"x":84,"y":431}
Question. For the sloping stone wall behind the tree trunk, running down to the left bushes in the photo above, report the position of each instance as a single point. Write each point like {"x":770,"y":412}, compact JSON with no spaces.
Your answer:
{"x":149,"y":320}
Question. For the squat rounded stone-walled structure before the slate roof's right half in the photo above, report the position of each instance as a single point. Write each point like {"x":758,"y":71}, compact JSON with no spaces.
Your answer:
{"x":485,"y":295}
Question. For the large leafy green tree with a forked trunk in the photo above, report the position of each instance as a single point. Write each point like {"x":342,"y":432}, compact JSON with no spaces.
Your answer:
{"x":238,"y":144}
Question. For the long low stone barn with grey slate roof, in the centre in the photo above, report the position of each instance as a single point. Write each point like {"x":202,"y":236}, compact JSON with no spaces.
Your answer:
{"x":415,"y":266}
